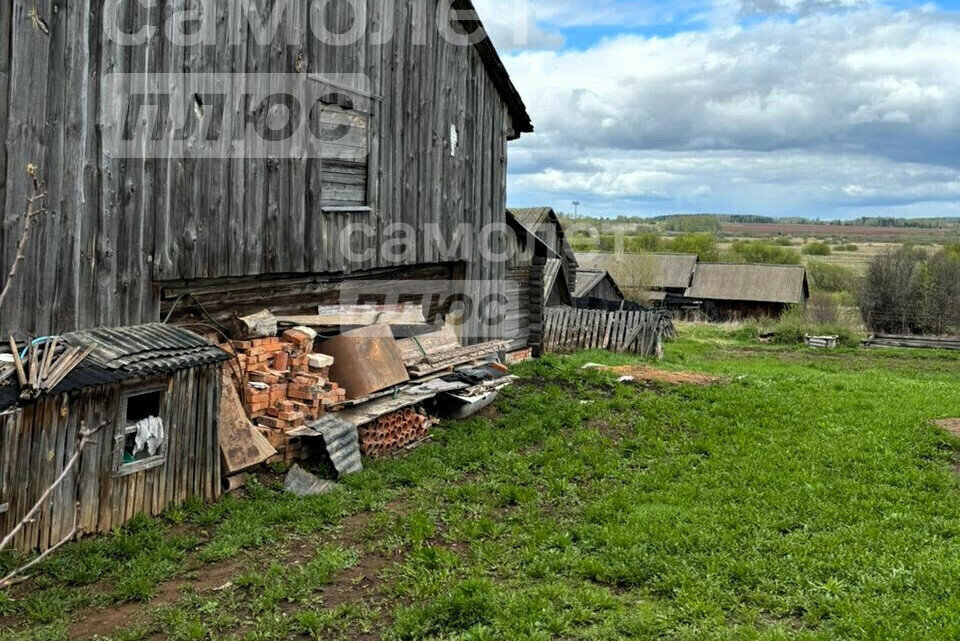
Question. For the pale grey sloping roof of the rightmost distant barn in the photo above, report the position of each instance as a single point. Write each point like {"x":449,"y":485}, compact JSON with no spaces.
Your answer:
{"x":759,"y":283}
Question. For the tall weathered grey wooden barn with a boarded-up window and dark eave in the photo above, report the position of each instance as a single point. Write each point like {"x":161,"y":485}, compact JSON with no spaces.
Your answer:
{"x":130,"y":239}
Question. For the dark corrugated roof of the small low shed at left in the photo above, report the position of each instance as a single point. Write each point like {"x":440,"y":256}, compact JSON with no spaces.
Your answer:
{"x":128,"y":353}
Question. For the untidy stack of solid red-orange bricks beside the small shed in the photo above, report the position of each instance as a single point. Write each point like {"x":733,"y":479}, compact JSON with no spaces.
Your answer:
{"x":286,"y":384}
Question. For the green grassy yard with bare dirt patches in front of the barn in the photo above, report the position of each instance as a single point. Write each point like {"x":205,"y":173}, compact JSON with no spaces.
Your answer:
{"x":807,"y":496}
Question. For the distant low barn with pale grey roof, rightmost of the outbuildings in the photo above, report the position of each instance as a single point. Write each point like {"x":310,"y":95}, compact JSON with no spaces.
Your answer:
{"x":731,"y":291}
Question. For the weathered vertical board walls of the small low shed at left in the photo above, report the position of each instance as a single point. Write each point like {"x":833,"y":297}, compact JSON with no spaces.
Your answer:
{"x":37,"y":441}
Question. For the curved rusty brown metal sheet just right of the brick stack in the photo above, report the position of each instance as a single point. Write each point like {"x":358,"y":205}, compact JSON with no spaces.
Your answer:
{"x":365,"y":360}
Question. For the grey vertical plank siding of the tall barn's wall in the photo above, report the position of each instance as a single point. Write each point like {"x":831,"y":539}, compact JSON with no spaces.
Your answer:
{"x":118,"y":226}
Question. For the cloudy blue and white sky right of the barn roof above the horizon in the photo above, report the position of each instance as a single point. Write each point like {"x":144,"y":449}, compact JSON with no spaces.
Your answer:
{"x":819,"y":108}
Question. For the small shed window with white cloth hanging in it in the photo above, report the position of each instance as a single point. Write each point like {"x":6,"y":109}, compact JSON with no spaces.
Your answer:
{"x":142,"y":443}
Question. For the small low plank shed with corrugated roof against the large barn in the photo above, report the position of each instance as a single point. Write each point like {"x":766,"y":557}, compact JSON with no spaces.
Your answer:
{"x":148,"y":398}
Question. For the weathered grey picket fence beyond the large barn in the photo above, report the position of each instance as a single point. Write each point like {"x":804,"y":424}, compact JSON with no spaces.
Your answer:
{"x":637,"y":332}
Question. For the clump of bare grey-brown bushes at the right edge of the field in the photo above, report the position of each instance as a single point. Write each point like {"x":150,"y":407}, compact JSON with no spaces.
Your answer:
{"x":912,"y":292}
